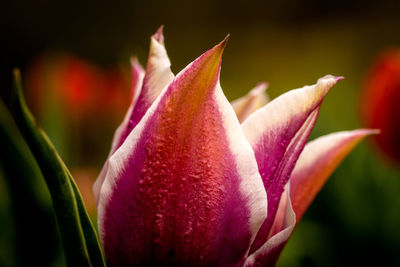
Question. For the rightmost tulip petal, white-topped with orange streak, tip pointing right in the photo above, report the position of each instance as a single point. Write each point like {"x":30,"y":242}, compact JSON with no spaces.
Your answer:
{"x":315,"y":164}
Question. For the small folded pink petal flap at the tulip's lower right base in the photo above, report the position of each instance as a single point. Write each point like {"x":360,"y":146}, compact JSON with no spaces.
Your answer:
{"x":269,"y":252}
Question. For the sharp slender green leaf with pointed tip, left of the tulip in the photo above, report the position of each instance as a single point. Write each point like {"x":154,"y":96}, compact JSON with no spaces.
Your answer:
{"x":80,"y":241}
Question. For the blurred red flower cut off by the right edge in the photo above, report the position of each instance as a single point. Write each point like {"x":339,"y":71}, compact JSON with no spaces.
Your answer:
{"x":380,"y":103}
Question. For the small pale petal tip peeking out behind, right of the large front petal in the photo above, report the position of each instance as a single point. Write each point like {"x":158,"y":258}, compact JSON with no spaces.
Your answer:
{"x":249,"y":103}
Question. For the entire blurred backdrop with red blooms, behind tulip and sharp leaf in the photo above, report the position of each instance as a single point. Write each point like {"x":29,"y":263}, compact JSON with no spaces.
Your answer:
{"x":74,"y":57}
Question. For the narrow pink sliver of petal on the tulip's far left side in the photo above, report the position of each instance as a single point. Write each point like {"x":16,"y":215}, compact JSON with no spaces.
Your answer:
{"x":137,"y":81}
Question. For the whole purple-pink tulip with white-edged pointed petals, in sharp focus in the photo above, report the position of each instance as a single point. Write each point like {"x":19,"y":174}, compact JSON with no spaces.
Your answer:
{"x":187,"y":184}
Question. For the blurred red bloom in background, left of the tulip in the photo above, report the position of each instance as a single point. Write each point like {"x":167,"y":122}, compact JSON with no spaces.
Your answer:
{"x":81,"y":88}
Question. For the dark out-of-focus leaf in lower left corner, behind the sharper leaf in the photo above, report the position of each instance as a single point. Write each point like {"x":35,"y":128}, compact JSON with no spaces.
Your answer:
{"x":29,"y":200}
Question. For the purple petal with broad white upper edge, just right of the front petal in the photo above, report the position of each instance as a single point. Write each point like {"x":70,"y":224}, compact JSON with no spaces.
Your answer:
{"x":278,"y":133}
